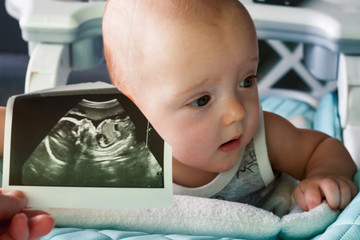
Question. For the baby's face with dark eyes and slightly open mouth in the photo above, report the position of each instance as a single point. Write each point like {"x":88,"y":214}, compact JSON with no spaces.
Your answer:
{"x":200,"y":93}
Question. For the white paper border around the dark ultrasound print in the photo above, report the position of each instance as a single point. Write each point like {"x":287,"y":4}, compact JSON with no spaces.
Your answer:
{"x":43,"y":197}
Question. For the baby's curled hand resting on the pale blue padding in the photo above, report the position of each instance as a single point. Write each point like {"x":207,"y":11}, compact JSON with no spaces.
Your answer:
{"x":337,"y":190}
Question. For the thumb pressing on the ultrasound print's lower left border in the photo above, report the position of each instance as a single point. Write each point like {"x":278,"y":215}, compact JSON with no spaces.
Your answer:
{"x":11,"y":203}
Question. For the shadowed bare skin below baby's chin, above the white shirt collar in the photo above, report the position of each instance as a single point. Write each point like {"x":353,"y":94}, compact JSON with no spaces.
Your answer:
{"x":190,"y":177}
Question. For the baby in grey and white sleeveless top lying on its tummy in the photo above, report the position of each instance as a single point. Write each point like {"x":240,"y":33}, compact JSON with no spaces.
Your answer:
{"x":190,"y":66}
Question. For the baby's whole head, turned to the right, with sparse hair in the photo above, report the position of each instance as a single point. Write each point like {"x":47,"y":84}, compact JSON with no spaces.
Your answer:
{"x":190,"y":66}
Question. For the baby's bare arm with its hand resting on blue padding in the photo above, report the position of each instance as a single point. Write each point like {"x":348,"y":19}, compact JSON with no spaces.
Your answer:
{"x":321,"y":162}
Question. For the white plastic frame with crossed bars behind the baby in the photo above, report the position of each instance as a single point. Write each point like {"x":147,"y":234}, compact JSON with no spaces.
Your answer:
{"x":317,"y":40}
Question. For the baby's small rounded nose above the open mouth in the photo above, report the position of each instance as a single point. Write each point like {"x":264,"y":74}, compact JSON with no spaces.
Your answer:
{"x":233,"y":111}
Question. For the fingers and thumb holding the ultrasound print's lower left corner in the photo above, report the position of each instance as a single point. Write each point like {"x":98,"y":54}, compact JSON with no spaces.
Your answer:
{"x":17,"y":224}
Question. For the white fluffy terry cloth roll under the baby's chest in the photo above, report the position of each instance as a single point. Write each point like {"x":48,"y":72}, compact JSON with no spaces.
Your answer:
{"x":204,"y":217}
